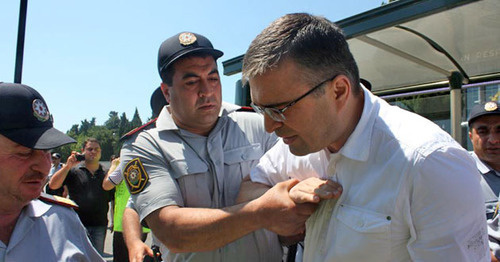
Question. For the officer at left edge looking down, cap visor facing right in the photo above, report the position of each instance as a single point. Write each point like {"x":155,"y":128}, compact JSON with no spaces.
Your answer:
{"x":33,"y":228}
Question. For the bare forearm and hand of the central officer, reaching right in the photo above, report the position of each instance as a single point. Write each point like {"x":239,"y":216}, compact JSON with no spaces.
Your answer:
{"x":184,"y":229}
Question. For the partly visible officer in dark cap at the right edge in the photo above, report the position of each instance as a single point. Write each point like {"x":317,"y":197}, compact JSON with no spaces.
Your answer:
{"x":484,"y":133}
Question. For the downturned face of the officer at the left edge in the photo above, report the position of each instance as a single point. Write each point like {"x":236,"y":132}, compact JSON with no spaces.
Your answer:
{"x":23,"y":172}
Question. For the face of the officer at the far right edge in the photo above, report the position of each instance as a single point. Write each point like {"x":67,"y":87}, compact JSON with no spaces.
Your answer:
{"x":485,"y":138}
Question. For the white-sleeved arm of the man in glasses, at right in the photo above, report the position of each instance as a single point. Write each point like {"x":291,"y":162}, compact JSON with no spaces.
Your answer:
{"x":446,"y":209}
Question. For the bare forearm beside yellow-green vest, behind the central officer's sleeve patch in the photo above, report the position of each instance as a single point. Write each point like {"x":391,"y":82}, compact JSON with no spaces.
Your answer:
{"x":132,"y":232}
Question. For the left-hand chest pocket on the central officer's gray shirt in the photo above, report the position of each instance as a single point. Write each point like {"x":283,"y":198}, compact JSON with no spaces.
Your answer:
{"x":195,"y":182}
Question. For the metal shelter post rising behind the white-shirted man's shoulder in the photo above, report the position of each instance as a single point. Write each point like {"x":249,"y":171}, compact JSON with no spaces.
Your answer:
{"x":456,"y":105}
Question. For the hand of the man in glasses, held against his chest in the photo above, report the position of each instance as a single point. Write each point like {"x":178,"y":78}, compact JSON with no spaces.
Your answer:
{"x":314,"y":190}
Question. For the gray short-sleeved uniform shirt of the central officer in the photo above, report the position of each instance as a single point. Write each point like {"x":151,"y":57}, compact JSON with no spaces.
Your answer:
{"x":189,"y":170}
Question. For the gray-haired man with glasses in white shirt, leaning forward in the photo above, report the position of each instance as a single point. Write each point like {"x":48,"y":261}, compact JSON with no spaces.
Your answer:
{"x":410,"y":192}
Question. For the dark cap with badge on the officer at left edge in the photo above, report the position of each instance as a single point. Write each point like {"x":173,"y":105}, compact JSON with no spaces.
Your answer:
{"x":26,"y":120}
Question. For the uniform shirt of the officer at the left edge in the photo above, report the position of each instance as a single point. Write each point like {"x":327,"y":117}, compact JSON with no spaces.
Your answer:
{"x":46,"y":232}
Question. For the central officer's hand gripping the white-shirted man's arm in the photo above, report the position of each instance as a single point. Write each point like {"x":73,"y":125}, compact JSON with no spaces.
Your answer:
{"x":280,"y":214}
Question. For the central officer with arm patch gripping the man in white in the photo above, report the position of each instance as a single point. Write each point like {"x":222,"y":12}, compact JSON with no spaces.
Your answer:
{"x":184,"y":175}
